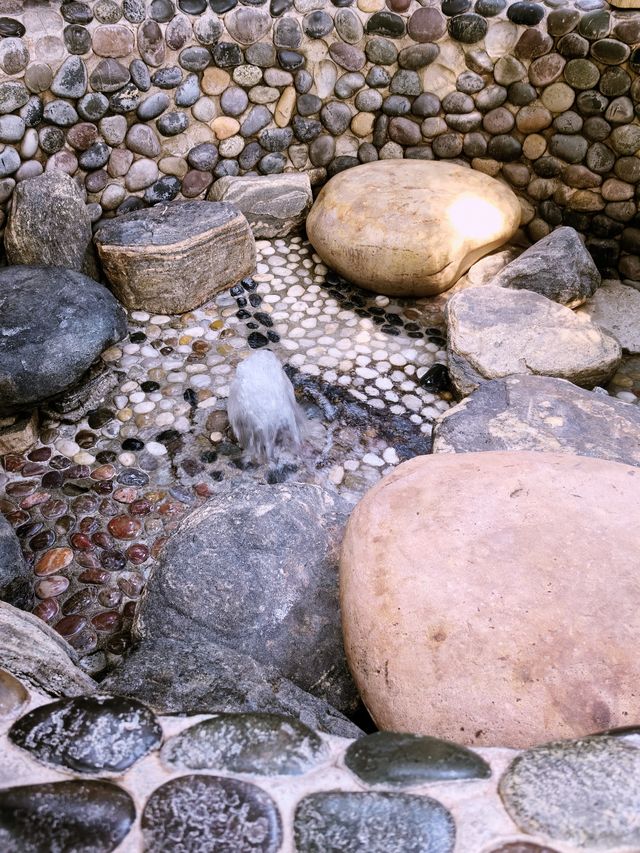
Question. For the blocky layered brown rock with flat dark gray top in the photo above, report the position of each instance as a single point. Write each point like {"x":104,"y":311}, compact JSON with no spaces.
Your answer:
{"x":173,"y":257}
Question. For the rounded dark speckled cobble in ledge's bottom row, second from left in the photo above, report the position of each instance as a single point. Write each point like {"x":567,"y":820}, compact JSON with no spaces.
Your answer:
{"x":197,"y":814}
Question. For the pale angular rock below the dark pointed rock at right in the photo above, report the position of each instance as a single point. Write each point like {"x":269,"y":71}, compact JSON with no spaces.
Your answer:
{"x":496,"y":332}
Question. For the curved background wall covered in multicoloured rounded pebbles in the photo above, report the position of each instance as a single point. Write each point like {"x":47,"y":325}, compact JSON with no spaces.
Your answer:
{"x":149,"y":101}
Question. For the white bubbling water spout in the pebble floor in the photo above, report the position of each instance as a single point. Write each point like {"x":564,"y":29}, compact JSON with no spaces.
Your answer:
{"x":262,"y":408}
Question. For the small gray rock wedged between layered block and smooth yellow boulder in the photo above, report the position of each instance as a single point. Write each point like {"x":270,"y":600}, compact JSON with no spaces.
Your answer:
{"x":274,"y":205}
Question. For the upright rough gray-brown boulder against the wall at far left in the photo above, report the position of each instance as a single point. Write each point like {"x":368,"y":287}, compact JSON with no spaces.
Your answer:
{"x":49,"y":224}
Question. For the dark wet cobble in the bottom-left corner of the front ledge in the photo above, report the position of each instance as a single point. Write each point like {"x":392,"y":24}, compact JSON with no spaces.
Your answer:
{"x":84,"y":816}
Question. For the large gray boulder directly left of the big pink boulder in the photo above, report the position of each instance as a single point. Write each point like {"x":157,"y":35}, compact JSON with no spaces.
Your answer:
{"x":256,"y":571}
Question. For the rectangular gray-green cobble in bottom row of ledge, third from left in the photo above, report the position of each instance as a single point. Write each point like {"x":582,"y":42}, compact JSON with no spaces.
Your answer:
{"x":376,"y":822}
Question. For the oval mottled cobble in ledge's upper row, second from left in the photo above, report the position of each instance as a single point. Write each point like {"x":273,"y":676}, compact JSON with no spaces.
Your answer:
{"x":264,"y":744}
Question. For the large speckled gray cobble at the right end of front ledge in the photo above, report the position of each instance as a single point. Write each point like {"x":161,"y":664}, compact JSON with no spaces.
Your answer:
{"x":577,"y":791}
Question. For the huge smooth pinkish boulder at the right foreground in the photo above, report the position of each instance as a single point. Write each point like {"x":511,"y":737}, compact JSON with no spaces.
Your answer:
{"x":494,"y":598}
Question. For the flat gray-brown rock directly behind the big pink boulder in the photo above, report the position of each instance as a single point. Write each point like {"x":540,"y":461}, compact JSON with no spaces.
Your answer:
{"x":543,"y":414}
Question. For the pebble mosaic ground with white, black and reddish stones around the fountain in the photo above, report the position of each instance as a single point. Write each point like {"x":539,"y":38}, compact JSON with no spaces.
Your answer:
{"x":94,"y":501}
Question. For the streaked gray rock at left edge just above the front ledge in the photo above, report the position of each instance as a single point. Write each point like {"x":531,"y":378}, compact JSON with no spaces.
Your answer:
{"x":36,"y":654}
